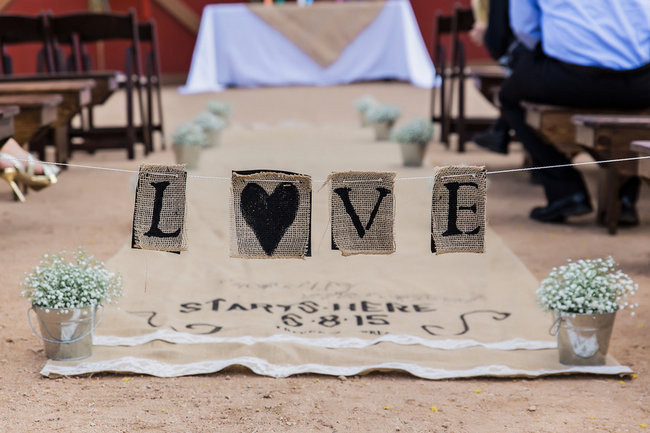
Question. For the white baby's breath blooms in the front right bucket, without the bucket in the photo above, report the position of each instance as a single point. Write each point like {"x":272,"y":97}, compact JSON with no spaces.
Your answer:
{"x":589,"y":286}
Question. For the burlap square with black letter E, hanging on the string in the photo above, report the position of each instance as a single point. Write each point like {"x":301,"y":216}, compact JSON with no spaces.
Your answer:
{"x":458,"y":210}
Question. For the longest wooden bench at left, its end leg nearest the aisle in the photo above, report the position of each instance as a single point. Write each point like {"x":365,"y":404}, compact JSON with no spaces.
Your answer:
{"x":75,"y":95}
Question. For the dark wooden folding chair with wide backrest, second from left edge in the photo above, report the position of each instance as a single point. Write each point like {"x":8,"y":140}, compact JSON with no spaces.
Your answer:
{"x":81,"y":29}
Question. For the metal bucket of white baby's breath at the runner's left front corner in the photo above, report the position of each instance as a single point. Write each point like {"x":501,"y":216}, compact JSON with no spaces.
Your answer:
{"x":66,"y":294}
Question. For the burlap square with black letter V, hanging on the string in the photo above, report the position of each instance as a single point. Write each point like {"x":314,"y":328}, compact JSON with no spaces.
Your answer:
{"x":362,"y":206}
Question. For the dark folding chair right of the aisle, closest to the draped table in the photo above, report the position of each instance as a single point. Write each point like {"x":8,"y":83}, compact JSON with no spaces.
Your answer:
{"x":443,"y":25}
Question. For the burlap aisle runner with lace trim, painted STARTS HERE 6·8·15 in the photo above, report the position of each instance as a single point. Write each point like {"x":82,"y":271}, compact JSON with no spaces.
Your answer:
{"x":450,"y":315}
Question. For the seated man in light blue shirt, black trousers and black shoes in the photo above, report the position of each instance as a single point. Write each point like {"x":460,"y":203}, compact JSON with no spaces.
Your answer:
{"x":593,"y":54}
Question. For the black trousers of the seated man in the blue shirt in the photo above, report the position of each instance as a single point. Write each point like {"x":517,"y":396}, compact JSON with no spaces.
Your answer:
{"x":541,"y":79}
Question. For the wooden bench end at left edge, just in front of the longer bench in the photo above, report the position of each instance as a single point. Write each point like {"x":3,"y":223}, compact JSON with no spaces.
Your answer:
{"x":37,"y":113}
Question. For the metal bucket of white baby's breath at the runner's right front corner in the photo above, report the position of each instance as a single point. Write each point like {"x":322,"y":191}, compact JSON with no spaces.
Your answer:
{"x":584,"y":297}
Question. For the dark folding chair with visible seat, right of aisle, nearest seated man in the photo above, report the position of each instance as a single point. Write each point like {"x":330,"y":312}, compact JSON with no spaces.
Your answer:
{"x":463,"y":22}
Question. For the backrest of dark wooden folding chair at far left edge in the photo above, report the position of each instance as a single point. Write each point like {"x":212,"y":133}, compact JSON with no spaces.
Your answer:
{"x":22,"y":29}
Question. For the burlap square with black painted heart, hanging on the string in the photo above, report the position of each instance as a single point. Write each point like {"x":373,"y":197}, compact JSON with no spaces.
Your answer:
{"x":270,"y":215}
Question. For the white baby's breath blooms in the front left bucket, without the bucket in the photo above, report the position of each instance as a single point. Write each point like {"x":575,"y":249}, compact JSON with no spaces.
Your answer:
{"x":81,"y":282}
